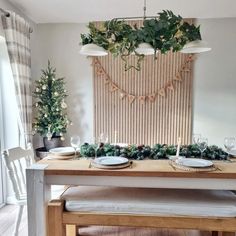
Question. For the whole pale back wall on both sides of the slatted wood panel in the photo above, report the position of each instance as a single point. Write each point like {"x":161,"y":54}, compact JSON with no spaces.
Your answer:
{"x":214,"y":77}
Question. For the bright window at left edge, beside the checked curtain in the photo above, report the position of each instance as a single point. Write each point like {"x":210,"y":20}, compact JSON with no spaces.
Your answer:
{"x":9,"y":132}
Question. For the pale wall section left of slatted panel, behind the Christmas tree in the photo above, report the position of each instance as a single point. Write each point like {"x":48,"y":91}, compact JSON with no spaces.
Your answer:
{"x":60,"y":44}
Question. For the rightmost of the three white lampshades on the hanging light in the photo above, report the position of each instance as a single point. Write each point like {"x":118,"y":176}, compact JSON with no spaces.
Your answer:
{"x":196,"y":46}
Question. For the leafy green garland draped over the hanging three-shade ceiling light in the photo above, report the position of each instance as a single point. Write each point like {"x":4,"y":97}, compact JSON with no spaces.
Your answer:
{"x":164,"y":33}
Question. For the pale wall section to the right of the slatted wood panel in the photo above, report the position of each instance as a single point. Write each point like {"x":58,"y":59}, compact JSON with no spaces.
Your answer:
{"x":215,"y":82}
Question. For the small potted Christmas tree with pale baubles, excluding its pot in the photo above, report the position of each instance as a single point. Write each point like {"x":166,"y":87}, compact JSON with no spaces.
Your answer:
{"x":51,"y":119}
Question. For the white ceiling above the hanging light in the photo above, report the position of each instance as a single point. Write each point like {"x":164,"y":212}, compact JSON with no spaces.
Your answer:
{"x":73,"y":11}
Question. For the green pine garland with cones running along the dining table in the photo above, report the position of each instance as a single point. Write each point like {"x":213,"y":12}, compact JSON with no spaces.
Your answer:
{"x":158,"y":151}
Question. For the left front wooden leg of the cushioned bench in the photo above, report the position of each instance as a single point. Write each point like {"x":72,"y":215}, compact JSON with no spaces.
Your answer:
{"x":55,"y":226}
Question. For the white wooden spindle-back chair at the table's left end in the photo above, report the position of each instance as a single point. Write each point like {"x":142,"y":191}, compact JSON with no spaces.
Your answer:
{"x":16,"y":161}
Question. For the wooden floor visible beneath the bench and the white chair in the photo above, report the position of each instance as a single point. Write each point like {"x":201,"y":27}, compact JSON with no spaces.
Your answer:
{"x":8,"y":214}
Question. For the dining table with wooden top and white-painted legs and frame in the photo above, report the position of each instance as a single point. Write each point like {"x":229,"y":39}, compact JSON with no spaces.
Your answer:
{"x":142,"y":174}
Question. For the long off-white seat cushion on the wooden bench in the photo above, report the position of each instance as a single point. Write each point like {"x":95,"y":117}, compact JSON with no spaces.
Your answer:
{"x":214,"y":203}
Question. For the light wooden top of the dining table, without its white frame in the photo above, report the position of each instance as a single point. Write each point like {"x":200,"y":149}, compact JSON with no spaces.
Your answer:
{"x":142,"y":168}
